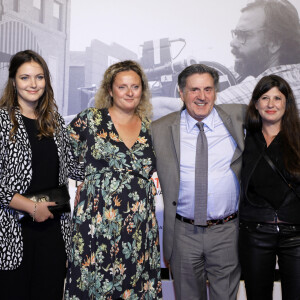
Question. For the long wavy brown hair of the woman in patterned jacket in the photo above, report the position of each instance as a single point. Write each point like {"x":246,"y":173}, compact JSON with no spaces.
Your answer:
{"x":46,"y":110}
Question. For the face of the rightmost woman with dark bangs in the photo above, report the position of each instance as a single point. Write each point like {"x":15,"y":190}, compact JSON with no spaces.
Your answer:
{"x":271,"y":107}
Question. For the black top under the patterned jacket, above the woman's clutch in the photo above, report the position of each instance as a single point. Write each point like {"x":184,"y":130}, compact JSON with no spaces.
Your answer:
{"x":45,"y":161}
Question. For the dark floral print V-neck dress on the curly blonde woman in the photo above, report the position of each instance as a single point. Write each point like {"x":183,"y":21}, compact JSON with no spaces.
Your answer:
{"x":115,"y":245}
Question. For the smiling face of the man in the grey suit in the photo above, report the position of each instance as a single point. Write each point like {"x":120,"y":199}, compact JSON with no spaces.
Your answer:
{"x":199,"y":95}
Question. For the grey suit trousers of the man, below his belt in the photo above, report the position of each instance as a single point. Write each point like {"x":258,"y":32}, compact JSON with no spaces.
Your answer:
{"x":205,"y":253}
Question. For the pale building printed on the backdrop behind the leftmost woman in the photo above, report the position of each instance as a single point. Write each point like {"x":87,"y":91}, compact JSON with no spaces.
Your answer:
{"x":42,"y":26}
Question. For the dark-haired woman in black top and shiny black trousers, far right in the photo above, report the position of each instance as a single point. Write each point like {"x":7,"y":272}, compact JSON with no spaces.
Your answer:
{"x":270,"y":202}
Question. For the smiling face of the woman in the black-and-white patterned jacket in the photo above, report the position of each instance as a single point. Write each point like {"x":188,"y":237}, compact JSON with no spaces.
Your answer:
{"x":30,"y":84}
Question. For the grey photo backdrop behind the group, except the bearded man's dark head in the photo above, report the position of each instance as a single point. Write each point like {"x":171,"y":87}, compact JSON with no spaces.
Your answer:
{"x":80,"y":39}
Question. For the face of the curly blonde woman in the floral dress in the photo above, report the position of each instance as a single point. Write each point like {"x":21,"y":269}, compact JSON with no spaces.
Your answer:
{"x":126,"y":91}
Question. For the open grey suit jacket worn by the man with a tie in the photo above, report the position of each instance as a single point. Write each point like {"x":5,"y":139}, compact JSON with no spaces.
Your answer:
{"x":166,"y":142}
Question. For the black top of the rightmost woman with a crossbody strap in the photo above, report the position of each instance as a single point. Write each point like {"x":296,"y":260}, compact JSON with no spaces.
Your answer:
{"x":265,"y":197}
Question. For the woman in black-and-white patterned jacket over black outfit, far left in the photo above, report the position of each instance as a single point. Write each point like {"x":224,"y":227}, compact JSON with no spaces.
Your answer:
{"x":34,"y":157}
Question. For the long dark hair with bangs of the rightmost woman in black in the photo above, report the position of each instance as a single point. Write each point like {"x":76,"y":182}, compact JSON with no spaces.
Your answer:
{"x":290,"y":122}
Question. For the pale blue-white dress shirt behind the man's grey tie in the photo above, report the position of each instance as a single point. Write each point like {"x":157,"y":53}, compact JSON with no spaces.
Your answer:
{"x":223,"y":186}
